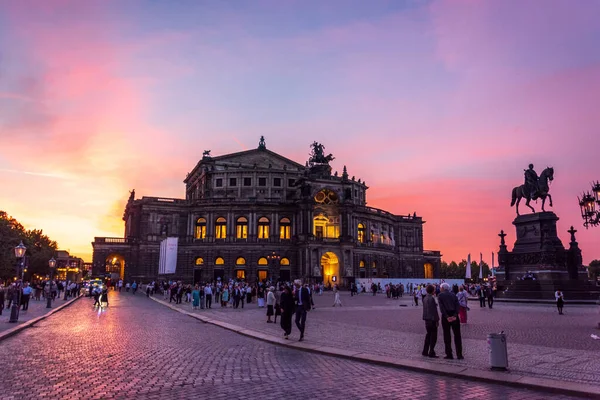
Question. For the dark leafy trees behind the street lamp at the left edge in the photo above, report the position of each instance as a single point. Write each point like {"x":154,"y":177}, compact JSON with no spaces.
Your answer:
{"x":39,"y":247}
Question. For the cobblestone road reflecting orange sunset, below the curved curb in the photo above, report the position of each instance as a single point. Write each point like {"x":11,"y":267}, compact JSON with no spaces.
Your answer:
{"x":139,"y":349}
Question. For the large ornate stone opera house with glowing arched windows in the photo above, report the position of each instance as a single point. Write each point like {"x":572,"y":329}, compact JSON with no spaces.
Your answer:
{"x":257,"y":215}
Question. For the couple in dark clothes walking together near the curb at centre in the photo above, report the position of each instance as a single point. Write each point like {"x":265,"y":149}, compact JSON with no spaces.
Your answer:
{"x":298,"y":302}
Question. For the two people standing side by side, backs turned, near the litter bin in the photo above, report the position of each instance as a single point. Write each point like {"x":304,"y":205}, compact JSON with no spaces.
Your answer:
{"x":449,"y":308}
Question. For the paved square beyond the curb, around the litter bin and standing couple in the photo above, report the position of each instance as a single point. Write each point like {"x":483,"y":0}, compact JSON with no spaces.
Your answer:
{"x":540,"y":342}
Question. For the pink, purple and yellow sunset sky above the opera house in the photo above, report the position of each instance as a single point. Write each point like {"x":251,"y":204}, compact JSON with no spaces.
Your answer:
{"x":438,"y":105}
